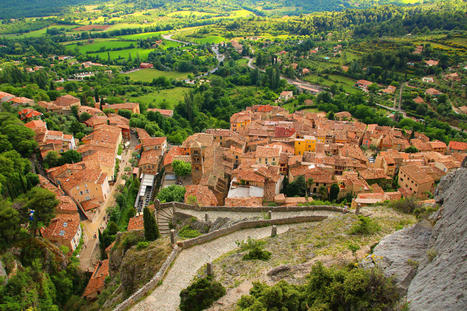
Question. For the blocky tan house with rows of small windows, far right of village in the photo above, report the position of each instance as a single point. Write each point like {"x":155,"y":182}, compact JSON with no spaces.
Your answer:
{"x":414,"y":181}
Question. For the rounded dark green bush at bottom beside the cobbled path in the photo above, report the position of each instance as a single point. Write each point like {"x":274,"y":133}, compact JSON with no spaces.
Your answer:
{"x":201,"y":294}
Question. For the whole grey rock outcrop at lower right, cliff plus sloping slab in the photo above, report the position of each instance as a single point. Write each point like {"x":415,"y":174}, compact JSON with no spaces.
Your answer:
{"x":429,"y":262}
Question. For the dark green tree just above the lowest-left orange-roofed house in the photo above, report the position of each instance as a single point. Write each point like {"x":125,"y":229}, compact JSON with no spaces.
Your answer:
{"x":43,"y":203}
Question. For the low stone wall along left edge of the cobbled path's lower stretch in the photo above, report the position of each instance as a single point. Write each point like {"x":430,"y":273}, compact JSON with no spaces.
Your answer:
{"x":149,"y":286}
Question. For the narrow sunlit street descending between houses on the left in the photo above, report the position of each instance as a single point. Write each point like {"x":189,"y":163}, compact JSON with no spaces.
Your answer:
{"x":89,"y":255}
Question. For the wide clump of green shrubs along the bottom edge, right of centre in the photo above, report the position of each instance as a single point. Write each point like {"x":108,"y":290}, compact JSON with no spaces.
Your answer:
{"x":326,"y":289}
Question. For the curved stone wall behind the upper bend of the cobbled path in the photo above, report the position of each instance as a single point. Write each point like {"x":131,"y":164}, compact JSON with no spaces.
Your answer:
{"x":246,"y":225}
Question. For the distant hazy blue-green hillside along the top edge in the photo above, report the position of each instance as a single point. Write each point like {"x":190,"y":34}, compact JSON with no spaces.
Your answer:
{"x":31,"y":8}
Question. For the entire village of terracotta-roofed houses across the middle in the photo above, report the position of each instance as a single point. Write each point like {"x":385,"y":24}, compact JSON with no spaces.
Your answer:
{"x":268,"y":157}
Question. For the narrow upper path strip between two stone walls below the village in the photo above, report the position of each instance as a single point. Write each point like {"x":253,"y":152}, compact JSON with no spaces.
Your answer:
{"x":242,"y":215}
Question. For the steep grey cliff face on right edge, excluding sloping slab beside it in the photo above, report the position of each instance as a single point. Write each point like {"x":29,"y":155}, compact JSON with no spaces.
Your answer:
{"x":442,"y":283}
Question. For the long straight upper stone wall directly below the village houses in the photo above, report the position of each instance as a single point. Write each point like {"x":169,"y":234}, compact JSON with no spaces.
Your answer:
{"x":253,"y":209}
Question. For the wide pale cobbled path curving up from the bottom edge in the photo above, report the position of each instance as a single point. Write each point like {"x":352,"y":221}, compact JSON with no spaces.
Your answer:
{"x":166,"y":296}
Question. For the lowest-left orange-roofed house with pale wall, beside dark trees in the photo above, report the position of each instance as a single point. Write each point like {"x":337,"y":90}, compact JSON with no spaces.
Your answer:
{"x":64,"y":230}
